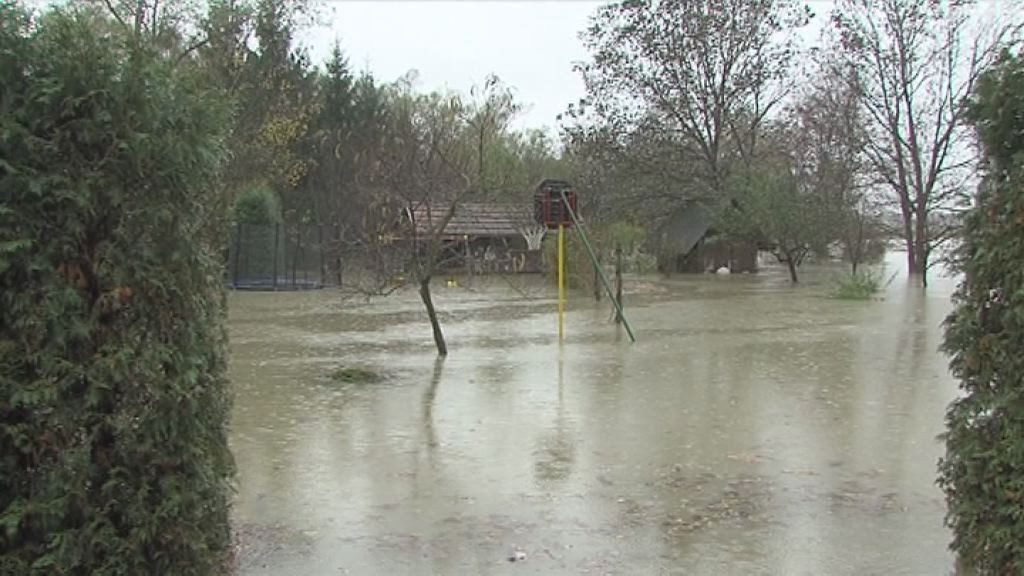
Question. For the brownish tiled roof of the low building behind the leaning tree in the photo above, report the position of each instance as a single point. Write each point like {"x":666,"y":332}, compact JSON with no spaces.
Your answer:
{"x":480,"y":220}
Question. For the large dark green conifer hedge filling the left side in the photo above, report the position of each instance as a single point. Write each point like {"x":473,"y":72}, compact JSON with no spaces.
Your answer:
{"x":113,"y":398}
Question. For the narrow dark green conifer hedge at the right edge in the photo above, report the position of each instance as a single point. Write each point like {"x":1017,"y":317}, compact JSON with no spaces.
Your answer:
{"x":984,"y":471}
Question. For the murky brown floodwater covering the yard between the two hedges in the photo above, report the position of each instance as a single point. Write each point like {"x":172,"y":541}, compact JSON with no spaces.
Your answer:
{"x":754,"y":429}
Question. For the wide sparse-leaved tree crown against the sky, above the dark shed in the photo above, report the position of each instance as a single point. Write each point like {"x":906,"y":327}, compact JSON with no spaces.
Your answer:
{"x":706,"y":74}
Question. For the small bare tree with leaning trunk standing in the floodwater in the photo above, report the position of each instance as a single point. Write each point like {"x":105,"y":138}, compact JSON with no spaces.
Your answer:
{"x":428,"y":164}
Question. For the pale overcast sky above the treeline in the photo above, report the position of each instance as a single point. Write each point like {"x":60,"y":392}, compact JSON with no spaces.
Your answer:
{"x":529,"y":45}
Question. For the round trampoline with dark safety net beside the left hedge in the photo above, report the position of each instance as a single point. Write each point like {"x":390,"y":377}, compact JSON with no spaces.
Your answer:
{"x":277,"y":258}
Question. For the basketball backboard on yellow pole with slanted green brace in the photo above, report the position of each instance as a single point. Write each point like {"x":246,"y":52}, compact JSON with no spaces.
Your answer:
{"x":556,"y":208}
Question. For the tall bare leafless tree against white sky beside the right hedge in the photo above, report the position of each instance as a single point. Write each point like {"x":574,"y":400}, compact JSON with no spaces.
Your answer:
{"x":916,"y":64}
